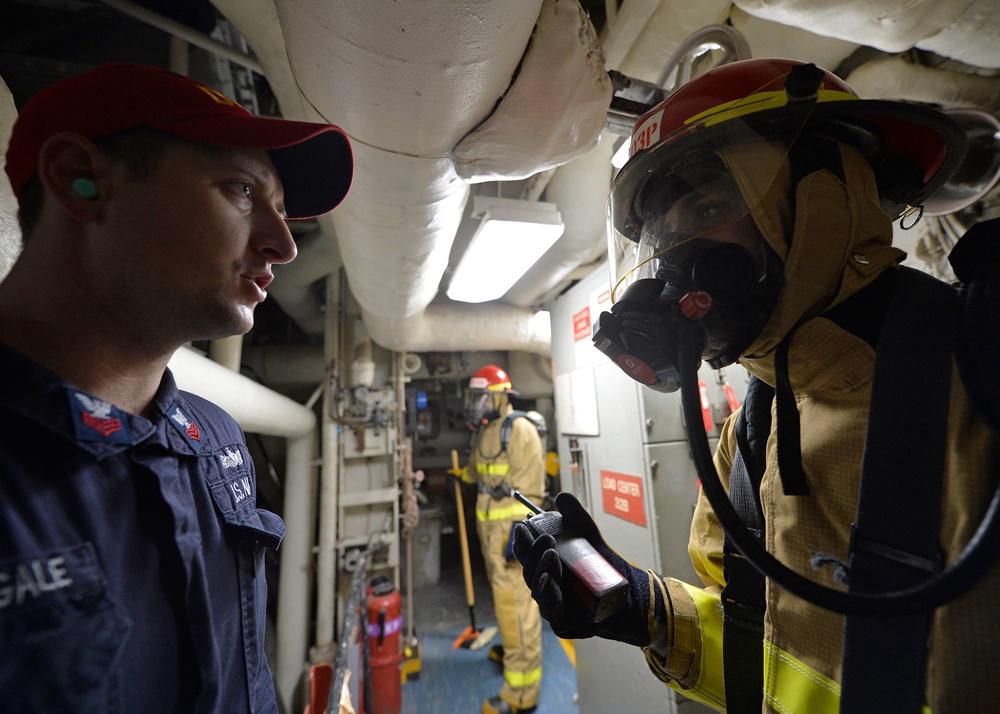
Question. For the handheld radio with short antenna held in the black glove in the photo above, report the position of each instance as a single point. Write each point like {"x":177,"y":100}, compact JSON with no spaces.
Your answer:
{"x":600,"y":588}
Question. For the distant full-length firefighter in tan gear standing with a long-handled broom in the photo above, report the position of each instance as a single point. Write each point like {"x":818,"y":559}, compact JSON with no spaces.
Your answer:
{"x":506,"y":457}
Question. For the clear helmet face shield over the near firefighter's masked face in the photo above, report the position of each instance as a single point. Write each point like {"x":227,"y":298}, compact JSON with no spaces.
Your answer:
{"x":684,"y":248}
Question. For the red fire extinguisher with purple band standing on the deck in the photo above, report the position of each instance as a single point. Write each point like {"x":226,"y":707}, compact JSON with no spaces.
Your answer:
{"x":385,"y":624}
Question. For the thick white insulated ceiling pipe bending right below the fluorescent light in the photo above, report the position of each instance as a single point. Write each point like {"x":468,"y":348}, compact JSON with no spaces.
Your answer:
{"x":405,"y":110}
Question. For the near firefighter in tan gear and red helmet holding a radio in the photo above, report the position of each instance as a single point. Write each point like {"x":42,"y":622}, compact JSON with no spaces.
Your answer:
{"x":753,"y":224}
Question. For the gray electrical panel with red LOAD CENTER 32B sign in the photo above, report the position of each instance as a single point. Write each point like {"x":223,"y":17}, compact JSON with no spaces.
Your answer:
{"x":624,"y":454}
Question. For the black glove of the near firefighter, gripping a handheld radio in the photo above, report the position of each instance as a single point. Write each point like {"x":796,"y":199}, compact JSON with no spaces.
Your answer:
{"x":568,"y":616}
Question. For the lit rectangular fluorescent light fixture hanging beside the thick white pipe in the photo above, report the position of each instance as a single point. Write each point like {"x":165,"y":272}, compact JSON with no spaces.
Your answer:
{"x":511,"y":237}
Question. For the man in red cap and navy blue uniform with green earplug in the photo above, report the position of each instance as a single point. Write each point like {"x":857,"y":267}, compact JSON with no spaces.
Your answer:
{"x":152,"y":210}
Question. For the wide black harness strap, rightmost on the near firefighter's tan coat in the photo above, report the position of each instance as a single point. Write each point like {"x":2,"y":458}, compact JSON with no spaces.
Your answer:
{"x":895,"y":535}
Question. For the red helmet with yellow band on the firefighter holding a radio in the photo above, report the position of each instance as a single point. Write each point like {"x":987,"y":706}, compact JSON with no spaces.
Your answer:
{"x":914,"y":149}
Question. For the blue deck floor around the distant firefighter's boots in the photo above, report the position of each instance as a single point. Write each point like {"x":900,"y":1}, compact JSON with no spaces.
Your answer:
{"x":456,"y":681}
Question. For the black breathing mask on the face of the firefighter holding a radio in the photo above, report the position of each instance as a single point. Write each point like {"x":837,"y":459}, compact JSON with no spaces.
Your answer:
{"x":699,"y":259}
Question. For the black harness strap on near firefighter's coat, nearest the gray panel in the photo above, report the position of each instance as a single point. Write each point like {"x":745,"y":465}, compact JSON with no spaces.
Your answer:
{"x":743,"y":600}
